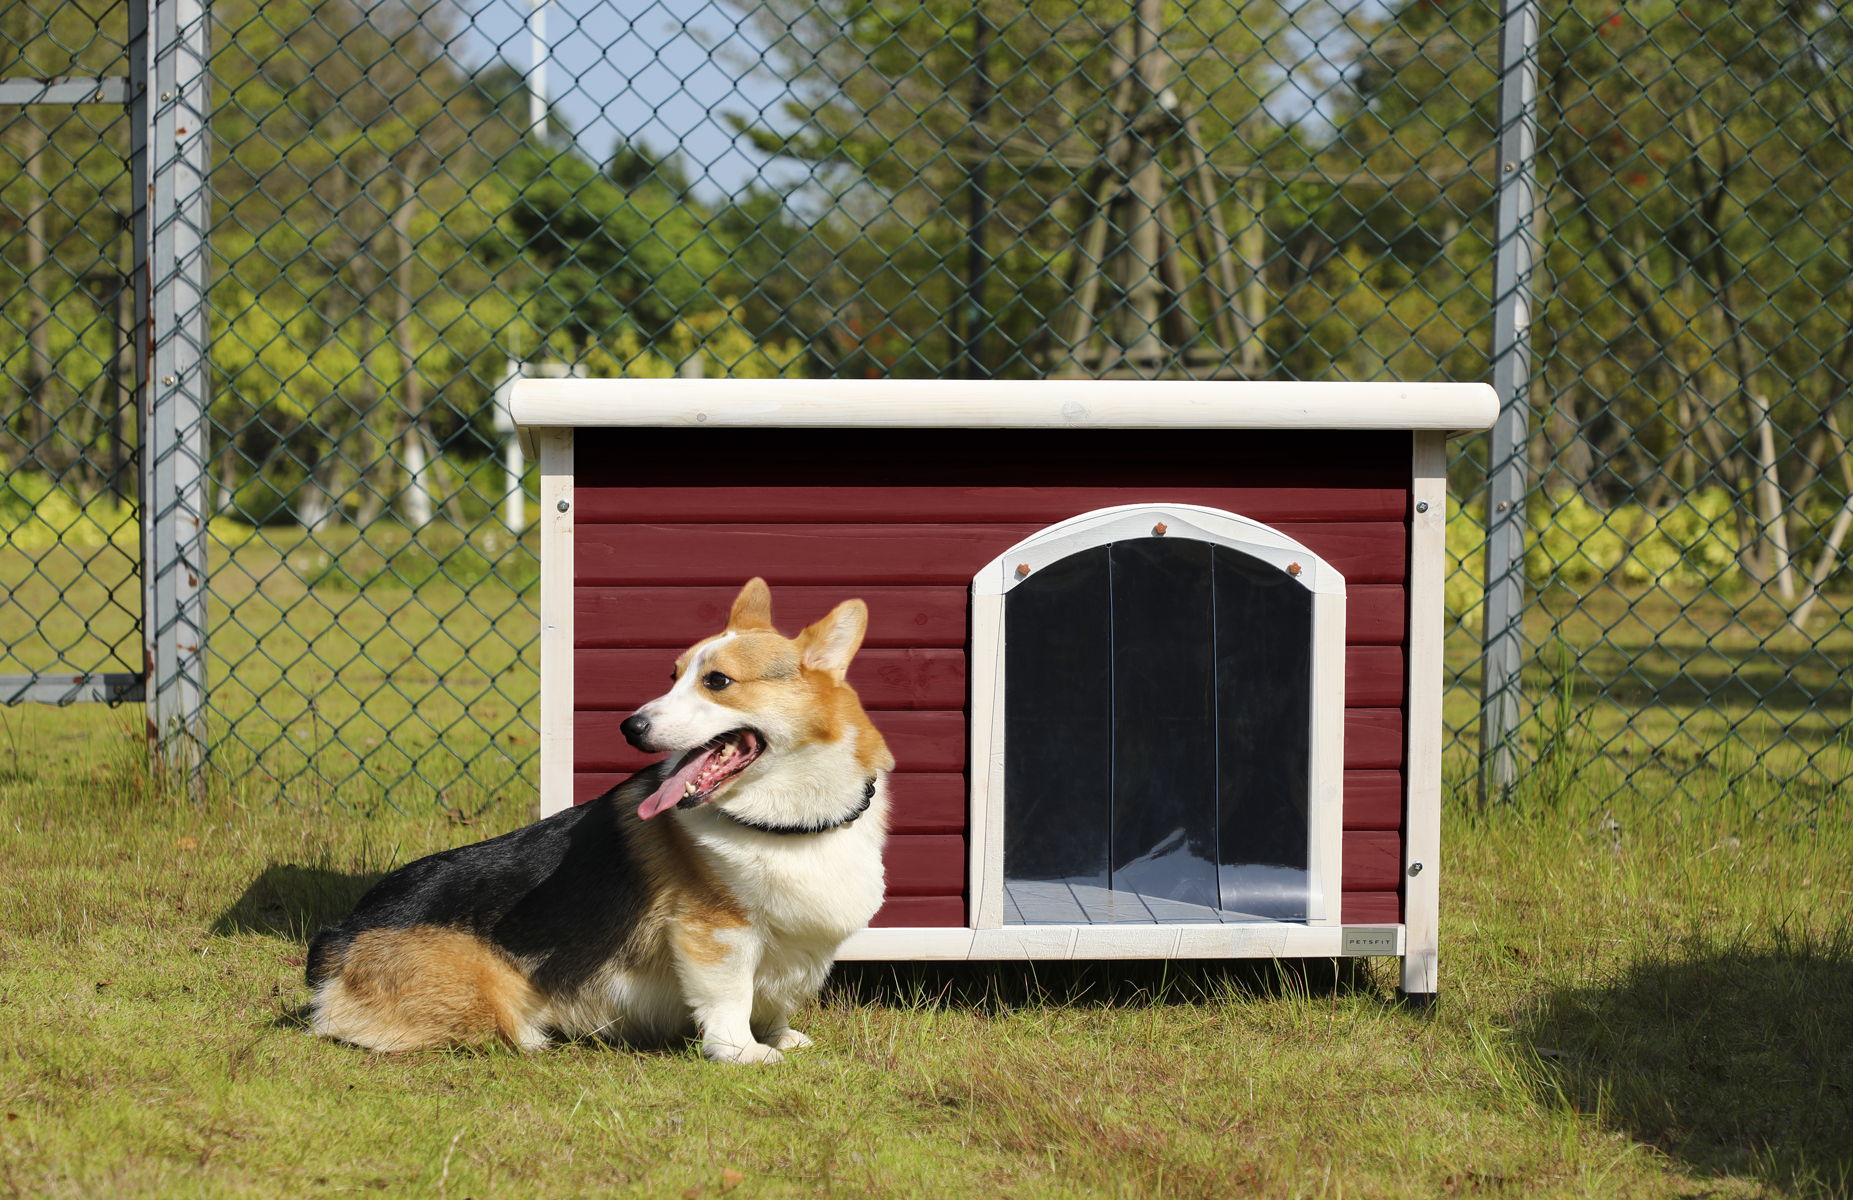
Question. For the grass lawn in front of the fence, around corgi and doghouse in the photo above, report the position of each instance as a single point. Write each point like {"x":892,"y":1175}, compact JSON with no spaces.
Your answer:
{"x":1646,"y":1003}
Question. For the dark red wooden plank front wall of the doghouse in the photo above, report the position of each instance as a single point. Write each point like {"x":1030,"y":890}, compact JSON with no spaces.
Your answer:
{"x":668,"y":534}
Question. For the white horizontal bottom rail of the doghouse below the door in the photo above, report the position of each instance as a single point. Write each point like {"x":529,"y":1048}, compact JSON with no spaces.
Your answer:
{"x":1111,"y":942}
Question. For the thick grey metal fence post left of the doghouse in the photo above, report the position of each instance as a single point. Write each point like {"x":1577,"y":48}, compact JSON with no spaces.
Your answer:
{"x":170,"y":112}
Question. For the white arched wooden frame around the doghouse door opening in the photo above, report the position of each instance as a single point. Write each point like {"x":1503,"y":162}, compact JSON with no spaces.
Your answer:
{"x":1098,"y":529}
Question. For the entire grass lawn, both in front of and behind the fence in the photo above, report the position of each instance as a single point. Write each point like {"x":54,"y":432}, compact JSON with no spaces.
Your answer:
{"x":1648,"y":982}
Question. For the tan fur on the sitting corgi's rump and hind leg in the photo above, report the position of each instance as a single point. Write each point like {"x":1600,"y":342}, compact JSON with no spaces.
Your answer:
{"x":425,"y":986}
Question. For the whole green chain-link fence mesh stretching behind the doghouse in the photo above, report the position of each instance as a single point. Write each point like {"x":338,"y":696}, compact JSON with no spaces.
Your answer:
{"x":412,"y":205}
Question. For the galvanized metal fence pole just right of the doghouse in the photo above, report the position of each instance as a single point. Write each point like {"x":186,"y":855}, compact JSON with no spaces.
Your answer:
{"x":1511,"y":436}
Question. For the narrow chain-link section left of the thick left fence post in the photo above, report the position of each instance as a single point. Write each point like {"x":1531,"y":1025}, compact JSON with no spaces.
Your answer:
{"x":71,"y":606}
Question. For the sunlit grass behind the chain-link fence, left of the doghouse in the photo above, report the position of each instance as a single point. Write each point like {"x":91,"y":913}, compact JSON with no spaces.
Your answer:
{"x":362,"y":671}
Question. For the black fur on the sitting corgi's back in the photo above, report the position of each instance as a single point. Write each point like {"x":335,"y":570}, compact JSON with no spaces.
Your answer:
{"x":564,"y":894}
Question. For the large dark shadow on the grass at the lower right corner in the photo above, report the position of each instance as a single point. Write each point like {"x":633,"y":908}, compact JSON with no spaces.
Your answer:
{"x":1730,"y":1062}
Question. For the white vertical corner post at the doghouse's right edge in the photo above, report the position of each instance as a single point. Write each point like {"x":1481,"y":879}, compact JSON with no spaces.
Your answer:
{"x":1422,"y":801}
